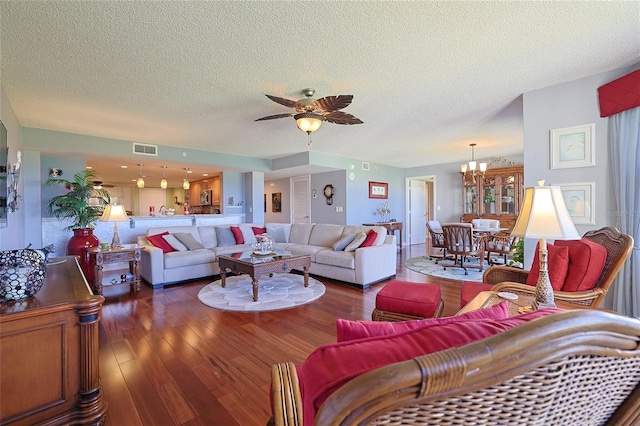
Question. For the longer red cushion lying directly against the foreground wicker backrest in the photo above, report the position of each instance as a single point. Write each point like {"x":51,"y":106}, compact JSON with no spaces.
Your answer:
{"x":331,"y":366}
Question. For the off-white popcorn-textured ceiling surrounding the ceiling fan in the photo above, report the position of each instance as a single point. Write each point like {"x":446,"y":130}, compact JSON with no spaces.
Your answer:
{"x":428,"y":78}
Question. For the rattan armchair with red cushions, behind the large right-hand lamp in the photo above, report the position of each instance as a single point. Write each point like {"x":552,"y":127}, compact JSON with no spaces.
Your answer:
{"x":618,"y":248}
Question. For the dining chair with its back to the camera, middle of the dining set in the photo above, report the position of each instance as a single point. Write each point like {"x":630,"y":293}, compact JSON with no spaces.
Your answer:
{"x":461,"y":242}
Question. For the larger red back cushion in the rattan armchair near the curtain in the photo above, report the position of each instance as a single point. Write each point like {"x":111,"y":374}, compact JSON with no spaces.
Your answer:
{"x":586,"y":261}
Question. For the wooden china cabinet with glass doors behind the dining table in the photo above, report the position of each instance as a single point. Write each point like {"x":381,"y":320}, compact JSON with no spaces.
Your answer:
{"x":496,"y":195}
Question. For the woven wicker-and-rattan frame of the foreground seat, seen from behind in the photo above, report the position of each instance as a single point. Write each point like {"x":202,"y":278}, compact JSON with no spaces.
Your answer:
{"x":571,"y":368}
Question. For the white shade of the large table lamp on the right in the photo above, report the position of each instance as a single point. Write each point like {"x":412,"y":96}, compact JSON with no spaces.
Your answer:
{"x":544,"y":215}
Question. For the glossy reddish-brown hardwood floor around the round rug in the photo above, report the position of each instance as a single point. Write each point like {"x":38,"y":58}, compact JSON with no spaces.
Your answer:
{"x":167,"y":359}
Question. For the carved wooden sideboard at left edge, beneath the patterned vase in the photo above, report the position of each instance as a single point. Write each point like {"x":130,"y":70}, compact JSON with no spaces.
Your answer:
{"x":49,"y":372}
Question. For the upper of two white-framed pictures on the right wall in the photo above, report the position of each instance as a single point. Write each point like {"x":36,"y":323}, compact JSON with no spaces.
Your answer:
{"x":573,"y":147}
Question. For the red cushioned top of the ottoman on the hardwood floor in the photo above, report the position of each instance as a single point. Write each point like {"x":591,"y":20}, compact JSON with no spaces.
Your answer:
{"x":409,"y":298}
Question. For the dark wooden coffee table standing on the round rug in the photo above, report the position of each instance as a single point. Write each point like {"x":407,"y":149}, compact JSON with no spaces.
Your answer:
{"x":257,"y":265}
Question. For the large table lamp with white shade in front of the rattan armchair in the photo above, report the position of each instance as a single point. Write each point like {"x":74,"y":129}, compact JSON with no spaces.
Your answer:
{"x":544,"y":215}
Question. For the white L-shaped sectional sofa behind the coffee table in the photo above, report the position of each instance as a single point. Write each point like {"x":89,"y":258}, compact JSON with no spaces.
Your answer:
{"x":361,"y":267}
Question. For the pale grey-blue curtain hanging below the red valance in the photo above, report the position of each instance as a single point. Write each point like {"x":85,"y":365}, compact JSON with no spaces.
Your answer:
{"x":624,"y":131}
